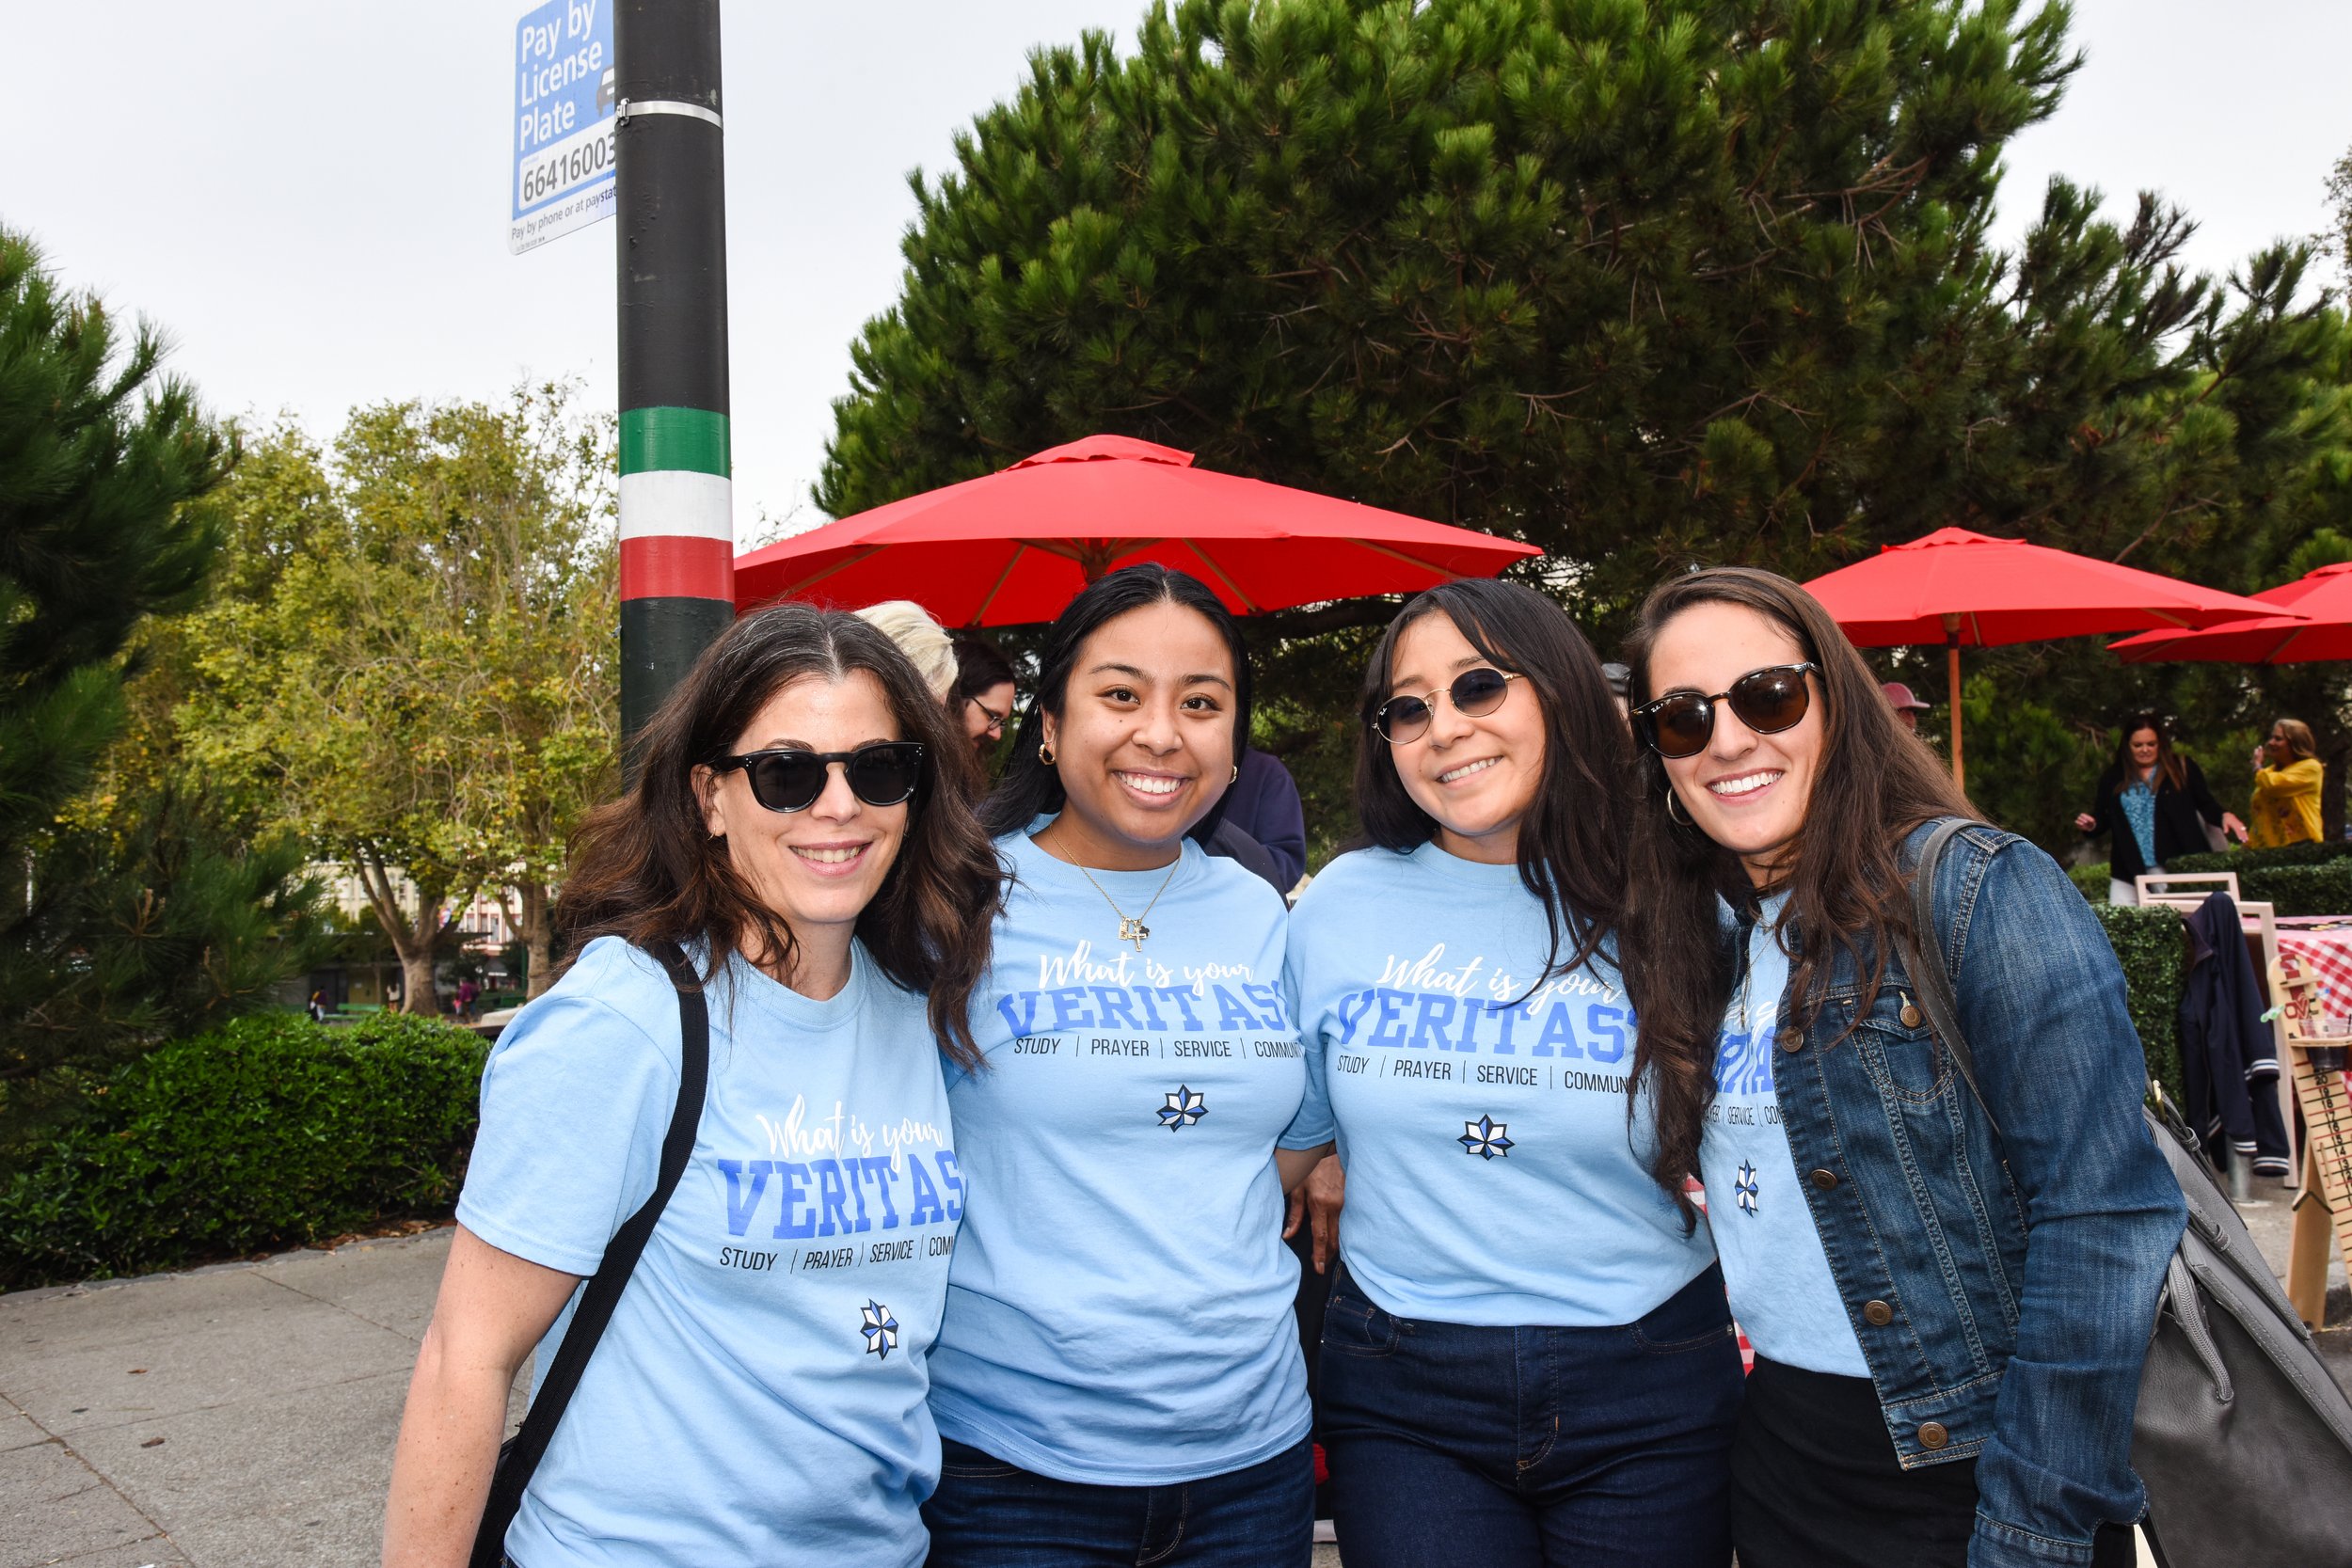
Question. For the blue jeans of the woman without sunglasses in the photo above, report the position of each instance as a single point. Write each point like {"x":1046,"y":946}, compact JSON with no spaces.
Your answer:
{"x":996,"y":1515}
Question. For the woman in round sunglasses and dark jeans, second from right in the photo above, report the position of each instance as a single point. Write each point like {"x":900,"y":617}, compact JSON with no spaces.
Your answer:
{"x":1528,"y":1355}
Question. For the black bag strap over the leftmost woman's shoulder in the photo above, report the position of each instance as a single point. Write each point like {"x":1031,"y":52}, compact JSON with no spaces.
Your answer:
{"x":603,"y":1294}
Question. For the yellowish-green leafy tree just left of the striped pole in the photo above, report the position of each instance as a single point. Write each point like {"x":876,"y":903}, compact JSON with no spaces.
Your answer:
{"x":415,"y":659}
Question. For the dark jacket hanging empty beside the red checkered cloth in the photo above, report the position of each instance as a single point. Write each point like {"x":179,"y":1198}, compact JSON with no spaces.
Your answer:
{"x":2229,"y":1054}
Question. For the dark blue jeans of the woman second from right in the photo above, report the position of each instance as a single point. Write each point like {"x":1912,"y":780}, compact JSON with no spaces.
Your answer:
{"x":1521,"y":1447}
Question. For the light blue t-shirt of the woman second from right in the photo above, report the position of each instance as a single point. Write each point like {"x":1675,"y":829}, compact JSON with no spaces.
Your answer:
{"x":1492,"y":1174}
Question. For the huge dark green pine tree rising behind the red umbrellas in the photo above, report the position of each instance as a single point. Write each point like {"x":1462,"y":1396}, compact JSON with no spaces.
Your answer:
{"x":1643,"y":283}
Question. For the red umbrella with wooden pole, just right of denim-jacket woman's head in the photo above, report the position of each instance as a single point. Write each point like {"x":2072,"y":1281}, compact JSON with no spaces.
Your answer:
{"x":1970,"y":589}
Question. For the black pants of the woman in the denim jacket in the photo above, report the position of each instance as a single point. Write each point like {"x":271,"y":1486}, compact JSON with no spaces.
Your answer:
{"x":1817,"y":1485}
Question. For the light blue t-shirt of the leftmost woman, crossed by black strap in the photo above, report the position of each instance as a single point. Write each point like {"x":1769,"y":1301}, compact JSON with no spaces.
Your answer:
{"x":759,"y":1395}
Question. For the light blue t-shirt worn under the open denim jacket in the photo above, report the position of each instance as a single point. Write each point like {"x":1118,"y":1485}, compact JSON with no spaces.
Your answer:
{"x":1779,"y":1278}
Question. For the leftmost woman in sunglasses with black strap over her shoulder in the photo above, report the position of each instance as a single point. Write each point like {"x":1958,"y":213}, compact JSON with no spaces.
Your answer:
{"x":759,"y":1393}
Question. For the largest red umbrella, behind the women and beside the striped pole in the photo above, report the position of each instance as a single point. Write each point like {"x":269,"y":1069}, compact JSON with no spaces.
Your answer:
{"x":1017,"y":547}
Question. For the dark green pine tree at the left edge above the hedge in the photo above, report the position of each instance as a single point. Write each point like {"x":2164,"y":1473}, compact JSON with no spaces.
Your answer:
{"x":128,"y":918}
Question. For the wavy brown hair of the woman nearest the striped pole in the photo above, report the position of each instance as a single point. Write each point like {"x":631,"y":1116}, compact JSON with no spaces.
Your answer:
{"x":646,"y":866}
